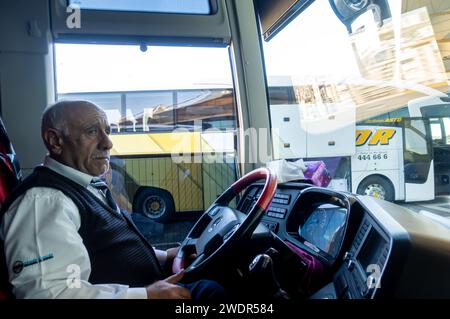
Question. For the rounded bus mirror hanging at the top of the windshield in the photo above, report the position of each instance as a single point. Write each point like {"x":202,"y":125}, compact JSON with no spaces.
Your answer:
{"x":349,"y":10}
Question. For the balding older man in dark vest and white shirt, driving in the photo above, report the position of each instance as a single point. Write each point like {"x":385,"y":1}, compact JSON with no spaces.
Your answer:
{"x":64,"y":235}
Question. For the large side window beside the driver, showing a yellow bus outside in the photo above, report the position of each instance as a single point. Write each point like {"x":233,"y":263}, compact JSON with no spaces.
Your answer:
{"x":169,"y":109}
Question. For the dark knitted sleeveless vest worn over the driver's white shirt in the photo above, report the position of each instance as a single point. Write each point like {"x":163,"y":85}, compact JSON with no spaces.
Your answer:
{"x":118,"y":252}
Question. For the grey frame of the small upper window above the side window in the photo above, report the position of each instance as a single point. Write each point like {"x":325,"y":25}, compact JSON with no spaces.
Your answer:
{"x":149,"y":28}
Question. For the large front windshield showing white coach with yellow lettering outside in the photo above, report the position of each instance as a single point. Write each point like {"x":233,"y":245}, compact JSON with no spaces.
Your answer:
{"x":343,"y":92}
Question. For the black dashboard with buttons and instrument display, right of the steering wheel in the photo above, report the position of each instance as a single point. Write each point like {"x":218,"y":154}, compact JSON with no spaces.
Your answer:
{"x":348,"y":246}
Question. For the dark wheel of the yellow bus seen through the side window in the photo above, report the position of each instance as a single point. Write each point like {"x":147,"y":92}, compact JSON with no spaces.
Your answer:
{"x":156,"y":204}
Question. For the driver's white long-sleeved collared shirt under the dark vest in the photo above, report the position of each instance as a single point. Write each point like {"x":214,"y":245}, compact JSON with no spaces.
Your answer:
{"x":40,"y":231}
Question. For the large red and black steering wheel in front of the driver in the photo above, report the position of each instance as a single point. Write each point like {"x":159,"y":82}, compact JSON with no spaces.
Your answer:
{"x":221,"y":227}
